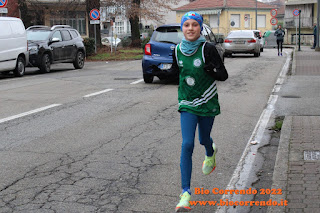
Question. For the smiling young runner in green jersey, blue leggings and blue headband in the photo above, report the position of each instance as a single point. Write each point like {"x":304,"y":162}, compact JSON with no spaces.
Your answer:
{"x":199,"y":66}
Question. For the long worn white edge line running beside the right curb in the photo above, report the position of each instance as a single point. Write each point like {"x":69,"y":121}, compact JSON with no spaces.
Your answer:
{"x":245,"y":168}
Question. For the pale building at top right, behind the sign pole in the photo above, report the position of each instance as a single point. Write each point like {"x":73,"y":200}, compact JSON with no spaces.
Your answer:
{"x":308,"y":17}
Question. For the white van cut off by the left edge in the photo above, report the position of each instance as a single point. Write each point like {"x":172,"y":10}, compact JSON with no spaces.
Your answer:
{"x":14,"y":55}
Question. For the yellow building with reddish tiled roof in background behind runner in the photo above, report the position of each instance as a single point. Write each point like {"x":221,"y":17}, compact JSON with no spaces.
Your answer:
{"x":224,"y":16}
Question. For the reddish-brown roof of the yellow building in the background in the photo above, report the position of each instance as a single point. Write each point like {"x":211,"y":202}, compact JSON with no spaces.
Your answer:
{"x":215,"y":4}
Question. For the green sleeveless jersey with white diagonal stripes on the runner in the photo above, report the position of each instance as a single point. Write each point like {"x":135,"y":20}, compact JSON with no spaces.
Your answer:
{"x":197,"y":91}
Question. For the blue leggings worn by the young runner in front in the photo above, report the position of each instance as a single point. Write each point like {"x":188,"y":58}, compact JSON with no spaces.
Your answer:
{"x":189,"y":124}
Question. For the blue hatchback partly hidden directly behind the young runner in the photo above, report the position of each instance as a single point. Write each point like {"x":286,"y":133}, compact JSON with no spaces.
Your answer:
{"x":158,"y":52}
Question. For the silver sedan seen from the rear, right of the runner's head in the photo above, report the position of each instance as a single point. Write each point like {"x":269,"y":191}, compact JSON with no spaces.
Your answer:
{"x":242,"y":41}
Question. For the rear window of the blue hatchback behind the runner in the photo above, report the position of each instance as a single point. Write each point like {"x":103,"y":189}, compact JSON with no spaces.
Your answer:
{"x":168,"y":35}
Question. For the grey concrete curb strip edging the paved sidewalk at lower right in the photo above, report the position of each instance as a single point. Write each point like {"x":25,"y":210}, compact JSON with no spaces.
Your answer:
{"x":280,"y":174}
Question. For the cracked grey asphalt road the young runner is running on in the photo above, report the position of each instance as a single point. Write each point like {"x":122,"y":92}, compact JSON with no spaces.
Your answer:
{"x":107,"y":142}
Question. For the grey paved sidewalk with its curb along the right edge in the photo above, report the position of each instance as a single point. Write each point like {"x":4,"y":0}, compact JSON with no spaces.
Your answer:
{"x":297,"y":167}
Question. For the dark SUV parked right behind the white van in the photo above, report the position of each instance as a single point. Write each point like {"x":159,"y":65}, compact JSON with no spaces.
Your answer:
{"x":58,"y":44}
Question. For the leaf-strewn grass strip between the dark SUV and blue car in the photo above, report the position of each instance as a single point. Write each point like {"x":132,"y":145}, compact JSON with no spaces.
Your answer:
{"x":104,"y":54}
